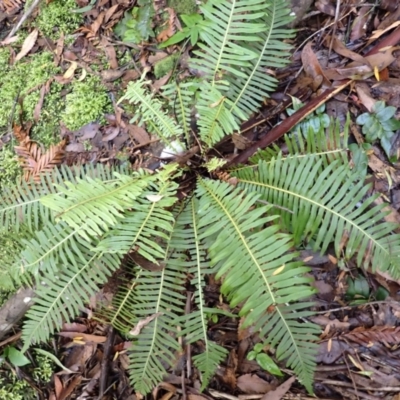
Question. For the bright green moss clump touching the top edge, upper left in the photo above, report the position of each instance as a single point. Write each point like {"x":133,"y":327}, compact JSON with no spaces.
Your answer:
{"x":56,"y":17}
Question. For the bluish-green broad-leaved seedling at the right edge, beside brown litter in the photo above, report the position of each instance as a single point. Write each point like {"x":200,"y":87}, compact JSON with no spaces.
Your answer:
{"x":381,"y":125}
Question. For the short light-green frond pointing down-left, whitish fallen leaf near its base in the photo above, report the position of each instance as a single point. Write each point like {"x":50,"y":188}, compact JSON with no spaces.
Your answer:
{"x":148,"y":225}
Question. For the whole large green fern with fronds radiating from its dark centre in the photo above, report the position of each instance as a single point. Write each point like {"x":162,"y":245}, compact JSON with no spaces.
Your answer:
{"x":76,"y":227}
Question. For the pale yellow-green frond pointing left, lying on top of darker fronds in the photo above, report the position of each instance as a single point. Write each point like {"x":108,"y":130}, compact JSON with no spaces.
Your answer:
{"x":100,"y":207}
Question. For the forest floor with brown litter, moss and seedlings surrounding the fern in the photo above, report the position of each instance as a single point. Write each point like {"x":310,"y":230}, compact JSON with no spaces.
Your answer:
{"x":62,"y":73}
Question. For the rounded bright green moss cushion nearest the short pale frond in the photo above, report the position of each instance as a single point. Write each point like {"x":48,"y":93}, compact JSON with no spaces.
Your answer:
{"x":87,"y":102}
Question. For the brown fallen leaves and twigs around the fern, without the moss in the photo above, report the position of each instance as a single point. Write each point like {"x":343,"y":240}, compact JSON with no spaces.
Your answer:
{"x":358,"y":349}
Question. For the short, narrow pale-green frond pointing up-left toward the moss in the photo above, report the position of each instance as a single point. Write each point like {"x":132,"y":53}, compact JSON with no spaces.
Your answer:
{"x":150,"y":111}
